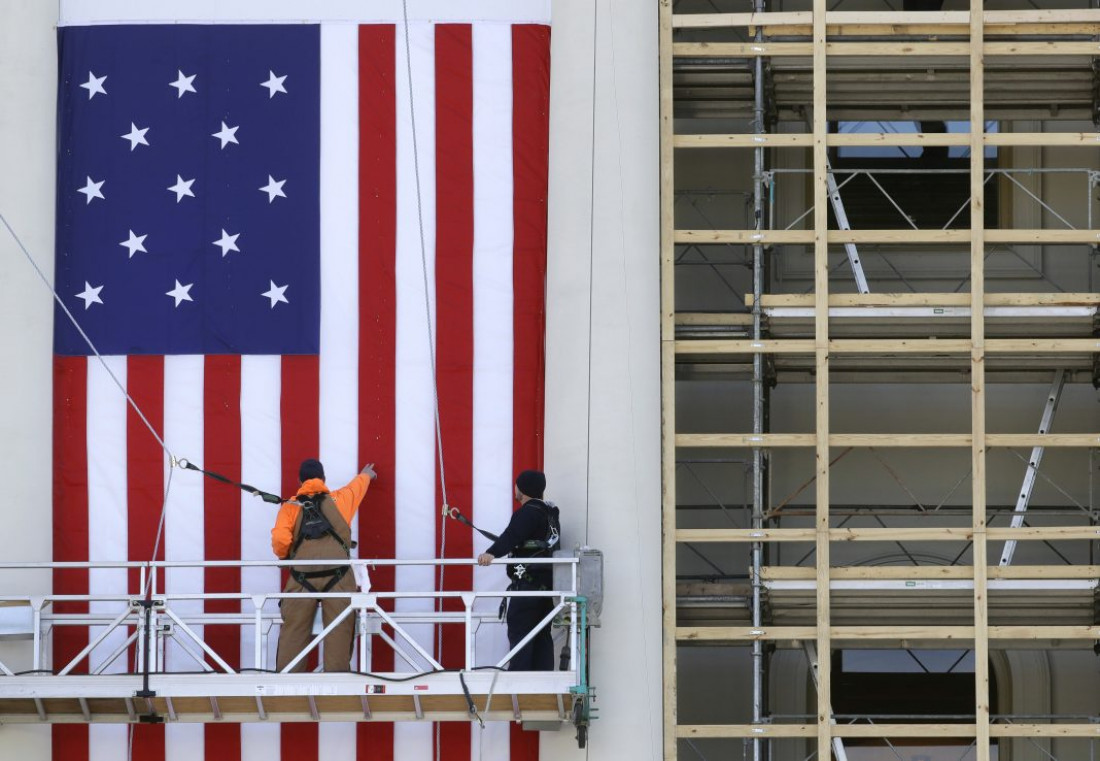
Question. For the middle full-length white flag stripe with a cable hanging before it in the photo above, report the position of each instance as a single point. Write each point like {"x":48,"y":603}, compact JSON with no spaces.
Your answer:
{"x":415,"y":435}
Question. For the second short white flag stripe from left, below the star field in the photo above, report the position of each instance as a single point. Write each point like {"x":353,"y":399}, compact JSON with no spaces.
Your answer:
{"x":184,"y":528}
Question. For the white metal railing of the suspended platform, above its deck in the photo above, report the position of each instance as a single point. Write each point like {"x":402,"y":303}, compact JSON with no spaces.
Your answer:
{"x":152,"y":621}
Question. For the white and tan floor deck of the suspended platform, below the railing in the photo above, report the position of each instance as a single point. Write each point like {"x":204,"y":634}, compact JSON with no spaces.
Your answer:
{"x":276,"y":698}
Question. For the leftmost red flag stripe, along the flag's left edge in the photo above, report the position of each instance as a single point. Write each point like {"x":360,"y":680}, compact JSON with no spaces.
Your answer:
{"x":71,"y":528}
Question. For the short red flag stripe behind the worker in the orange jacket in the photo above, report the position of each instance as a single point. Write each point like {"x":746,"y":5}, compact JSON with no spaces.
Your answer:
{"x":300,"y":415}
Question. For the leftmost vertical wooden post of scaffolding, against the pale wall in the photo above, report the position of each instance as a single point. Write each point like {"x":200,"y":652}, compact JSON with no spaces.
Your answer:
{"x":668,"y":390}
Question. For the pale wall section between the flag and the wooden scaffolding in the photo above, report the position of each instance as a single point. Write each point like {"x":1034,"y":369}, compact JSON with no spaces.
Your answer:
{"x":603,"y":359}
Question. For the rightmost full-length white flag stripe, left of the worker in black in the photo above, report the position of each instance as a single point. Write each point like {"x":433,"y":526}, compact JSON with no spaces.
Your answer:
{"x":492,"y":319}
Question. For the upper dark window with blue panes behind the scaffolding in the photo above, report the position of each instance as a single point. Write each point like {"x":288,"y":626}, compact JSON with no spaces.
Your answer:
{"x":931,"y":196}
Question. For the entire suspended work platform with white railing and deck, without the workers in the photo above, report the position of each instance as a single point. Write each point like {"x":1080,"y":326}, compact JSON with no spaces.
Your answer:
{"x":167,"y":657}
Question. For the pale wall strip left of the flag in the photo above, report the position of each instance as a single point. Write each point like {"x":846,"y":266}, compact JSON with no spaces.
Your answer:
{"x":28,"y":97}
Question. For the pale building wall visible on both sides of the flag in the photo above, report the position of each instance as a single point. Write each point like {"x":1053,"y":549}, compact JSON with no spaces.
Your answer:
{"x":603,"y":398}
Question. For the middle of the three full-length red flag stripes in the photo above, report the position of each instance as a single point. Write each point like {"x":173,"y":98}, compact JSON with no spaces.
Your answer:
{"x":455,"y":329}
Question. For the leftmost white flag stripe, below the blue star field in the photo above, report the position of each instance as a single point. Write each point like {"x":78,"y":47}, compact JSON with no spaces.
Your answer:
{"x":107,"y":530}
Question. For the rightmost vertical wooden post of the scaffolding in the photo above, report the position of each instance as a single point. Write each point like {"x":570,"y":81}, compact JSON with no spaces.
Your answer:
{"x":978,"y":377}
